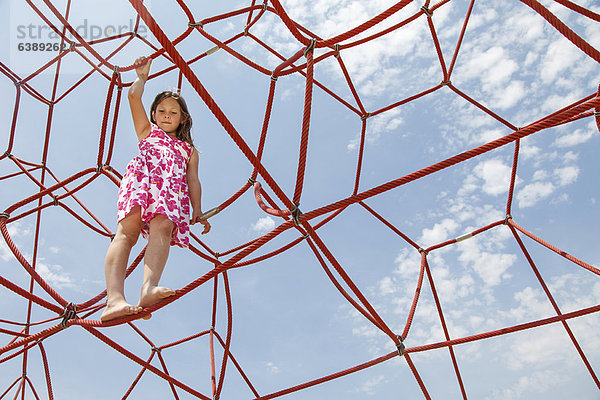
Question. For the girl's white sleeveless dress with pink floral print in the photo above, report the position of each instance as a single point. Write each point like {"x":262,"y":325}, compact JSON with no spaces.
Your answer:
{"x":156,"y":181}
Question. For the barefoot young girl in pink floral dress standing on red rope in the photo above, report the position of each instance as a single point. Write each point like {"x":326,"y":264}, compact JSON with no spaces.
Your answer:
{"x":154,"y":196}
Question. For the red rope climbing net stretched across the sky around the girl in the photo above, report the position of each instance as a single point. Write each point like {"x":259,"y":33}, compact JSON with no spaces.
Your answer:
{"x":30,"y":333}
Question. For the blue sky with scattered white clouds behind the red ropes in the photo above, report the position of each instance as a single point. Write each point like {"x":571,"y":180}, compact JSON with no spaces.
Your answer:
{"x":290,"y":324}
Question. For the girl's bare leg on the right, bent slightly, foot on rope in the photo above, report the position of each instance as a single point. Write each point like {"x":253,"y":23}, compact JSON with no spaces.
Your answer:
{"x":159,"y":243}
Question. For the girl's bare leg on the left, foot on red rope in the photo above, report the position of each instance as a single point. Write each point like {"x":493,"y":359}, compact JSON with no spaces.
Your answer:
{"x":115,"y":265}
